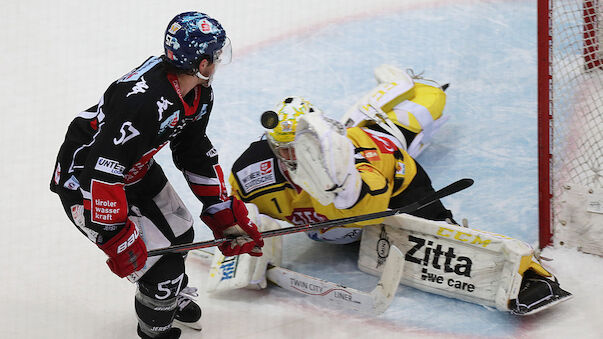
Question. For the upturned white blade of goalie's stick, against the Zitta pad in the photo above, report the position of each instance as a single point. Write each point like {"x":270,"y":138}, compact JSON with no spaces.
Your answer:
{"x":386,"y":289}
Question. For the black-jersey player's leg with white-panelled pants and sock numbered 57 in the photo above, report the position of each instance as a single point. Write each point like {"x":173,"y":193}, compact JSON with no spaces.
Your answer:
{"x":165,"y":221}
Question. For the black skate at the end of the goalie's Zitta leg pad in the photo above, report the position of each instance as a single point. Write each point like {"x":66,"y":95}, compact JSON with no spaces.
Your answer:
{"x":537,"y":293}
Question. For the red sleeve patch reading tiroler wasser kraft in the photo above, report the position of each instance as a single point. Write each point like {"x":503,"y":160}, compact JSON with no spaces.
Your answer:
{"x":108,"y":205}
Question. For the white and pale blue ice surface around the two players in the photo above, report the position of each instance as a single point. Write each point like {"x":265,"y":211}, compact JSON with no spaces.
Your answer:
{"x":59,"y":56}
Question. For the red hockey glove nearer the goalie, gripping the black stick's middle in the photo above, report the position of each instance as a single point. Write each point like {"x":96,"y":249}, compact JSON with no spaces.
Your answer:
{"x":229,"y":220}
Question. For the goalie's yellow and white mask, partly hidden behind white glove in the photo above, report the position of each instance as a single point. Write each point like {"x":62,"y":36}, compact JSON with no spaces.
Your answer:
{"x":281,"y":138}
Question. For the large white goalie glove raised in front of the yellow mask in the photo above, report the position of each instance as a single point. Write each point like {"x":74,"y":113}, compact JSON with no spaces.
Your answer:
{"x":325,"y":161}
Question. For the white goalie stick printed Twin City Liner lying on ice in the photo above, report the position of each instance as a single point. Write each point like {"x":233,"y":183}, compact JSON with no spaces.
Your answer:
{"x":336,"y":295}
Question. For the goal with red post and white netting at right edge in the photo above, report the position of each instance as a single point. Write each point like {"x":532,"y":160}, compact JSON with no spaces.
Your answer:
{"x":570,"y":67}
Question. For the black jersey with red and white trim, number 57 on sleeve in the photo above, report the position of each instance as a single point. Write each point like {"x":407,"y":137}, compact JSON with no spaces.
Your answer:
{"x":111,"y":145}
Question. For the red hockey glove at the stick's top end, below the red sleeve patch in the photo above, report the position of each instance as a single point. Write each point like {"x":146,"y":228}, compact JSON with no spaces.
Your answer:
{"x":126,"y":250}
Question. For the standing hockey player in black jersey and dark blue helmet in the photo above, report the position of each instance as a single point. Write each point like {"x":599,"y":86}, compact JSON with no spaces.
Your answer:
{"x":118,"y":196}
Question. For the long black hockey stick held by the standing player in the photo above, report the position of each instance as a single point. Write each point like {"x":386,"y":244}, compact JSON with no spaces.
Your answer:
{"x":446,"y":191}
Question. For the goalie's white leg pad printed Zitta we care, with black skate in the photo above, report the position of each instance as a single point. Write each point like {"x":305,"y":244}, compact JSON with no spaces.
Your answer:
{"x":462,"y":263}
